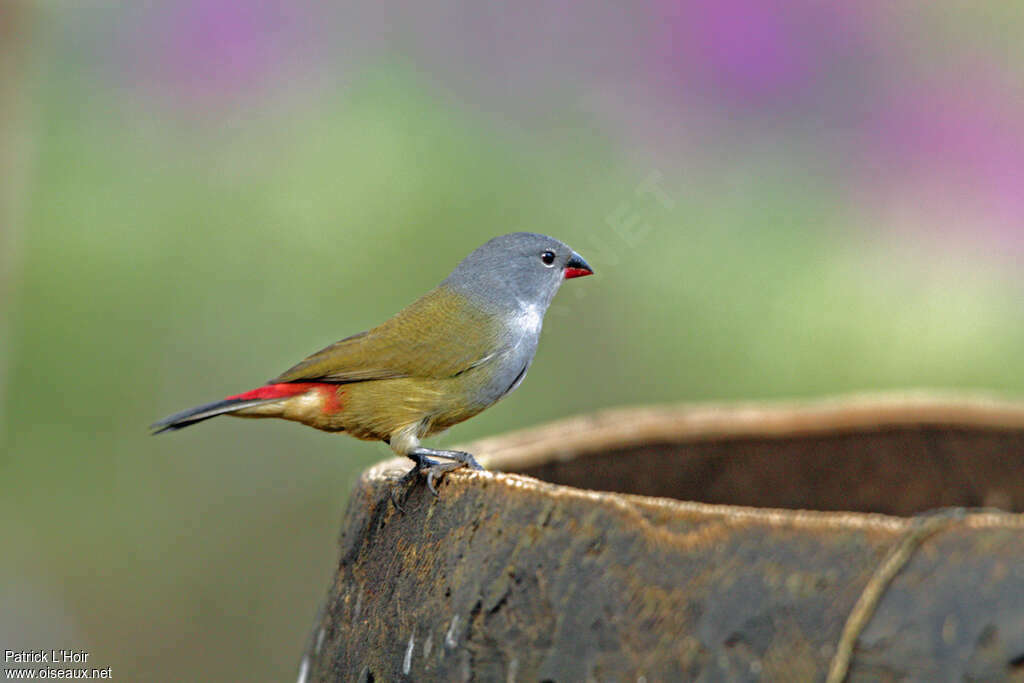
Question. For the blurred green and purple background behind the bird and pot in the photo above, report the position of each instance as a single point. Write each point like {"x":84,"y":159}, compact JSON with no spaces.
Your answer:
{"x":782,"y":199}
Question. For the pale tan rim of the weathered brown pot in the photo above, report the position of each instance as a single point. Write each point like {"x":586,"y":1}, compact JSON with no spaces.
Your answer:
{"x":623,"y":429}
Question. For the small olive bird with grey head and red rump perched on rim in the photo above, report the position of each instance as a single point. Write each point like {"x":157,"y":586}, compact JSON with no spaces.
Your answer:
{"x":441,"y":361}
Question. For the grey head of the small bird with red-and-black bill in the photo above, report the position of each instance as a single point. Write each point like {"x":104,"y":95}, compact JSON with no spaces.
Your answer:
{"x":516,"y":272}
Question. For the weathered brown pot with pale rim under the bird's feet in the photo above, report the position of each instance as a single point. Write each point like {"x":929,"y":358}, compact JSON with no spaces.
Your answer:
{"x":508,"y":578}
